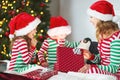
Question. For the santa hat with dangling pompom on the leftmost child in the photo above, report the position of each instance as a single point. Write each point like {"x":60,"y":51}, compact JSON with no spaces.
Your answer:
{"x":22,"y":24}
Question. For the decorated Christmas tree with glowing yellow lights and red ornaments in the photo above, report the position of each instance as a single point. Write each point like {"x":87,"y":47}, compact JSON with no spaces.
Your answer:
{"x":10,"y":8}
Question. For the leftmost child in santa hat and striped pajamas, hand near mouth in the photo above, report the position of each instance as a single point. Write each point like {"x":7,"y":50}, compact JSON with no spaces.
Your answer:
{"x":22,"y":31}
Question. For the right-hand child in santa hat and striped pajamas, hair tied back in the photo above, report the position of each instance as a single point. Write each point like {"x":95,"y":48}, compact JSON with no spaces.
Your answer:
{"x":108,"y":36}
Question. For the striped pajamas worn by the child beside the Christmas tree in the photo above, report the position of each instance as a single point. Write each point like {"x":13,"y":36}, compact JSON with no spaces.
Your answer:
{"x":20,"y":56}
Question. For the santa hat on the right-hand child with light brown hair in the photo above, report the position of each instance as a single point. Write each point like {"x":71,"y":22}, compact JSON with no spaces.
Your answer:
{"x":102,"y":10}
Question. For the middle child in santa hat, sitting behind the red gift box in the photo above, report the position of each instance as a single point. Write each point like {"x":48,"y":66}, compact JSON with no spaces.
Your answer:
{"x":59,"y":29}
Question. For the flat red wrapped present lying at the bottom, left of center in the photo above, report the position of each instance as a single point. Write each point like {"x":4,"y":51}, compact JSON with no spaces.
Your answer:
{"x":40,"y":75}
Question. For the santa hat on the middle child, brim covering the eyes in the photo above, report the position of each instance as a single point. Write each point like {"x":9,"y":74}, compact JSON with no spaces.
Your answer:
{"x":58,"y":25}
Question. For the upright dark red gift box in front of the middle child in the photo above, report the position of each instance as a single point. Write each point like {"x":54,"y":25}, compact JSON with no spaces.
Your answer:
{"x":67,"y":60}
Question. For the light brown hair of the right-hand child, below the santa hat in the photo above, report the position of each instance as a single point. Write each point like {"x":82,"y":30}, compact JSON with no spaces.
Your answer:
{"x":105,"y":28}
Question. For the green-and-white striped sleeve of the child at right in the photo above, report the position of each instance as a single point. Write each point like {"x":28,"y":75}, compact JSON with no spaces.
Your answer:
{"x":114,"y":58}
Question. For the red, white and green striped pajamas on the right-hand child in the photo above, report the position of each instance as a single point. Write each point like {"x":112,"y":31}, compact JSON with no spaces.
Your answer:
{"x":109,"y":56}
